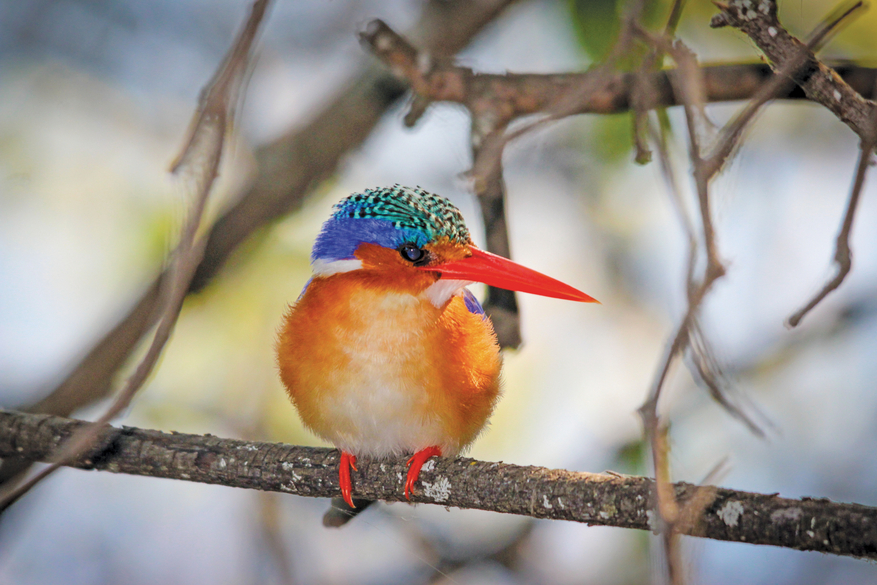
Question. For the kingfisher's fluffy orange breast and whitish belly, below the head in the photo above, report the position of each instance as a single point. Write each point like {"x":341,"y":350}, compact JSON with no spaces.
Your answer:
{"x":377,"y":370}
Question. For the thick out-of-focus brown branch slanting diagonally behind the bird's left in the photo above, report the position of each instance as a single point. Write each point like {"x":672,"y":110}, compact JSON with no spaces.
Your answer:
{"x":289,"y":170}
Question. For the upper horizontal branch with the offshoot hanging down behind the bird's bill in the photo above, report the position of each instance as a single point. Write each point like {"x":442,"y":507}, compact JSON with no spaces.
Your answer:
{"x":494,"y":101}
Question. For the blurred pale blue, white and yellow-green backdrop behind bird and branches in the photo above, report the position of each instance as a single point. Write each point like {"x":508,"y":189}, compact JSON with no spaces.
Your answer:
{"x":95,"y":97}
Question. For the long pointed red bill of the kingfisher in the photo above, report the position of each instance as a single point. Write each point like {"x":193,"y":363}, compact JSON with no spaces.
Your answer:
{"x":501,"y":272}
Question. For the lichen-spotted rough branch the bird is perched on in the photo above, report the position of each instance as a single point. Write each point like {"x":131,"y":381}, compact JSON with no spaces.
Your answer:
{"x":600,"y":499}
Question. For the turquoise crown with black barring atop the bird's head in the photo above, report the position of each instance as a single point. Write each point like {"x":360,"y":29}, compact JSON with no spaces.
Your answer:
{"x":407,"y":208}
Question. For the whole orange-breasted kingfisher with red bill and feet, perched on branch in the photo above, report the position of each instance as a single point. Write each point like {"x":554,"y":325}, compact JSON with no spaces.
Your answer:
{"x":386,"y":352}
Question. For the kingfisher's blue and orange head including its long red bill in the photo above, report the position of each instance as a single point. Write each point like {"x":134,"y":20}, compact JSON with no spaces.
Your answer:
{"x":410,"y":239}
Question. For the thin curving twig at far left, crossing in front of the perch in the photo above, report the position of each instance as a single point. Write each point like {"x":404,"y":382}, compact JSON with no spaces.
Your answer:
{"x":200,"y":160}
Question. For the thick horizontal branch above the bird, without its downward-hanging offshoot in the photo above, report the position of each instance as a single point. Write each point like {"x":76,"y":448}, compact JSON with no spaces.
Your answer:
{"x":499,"y":99}
